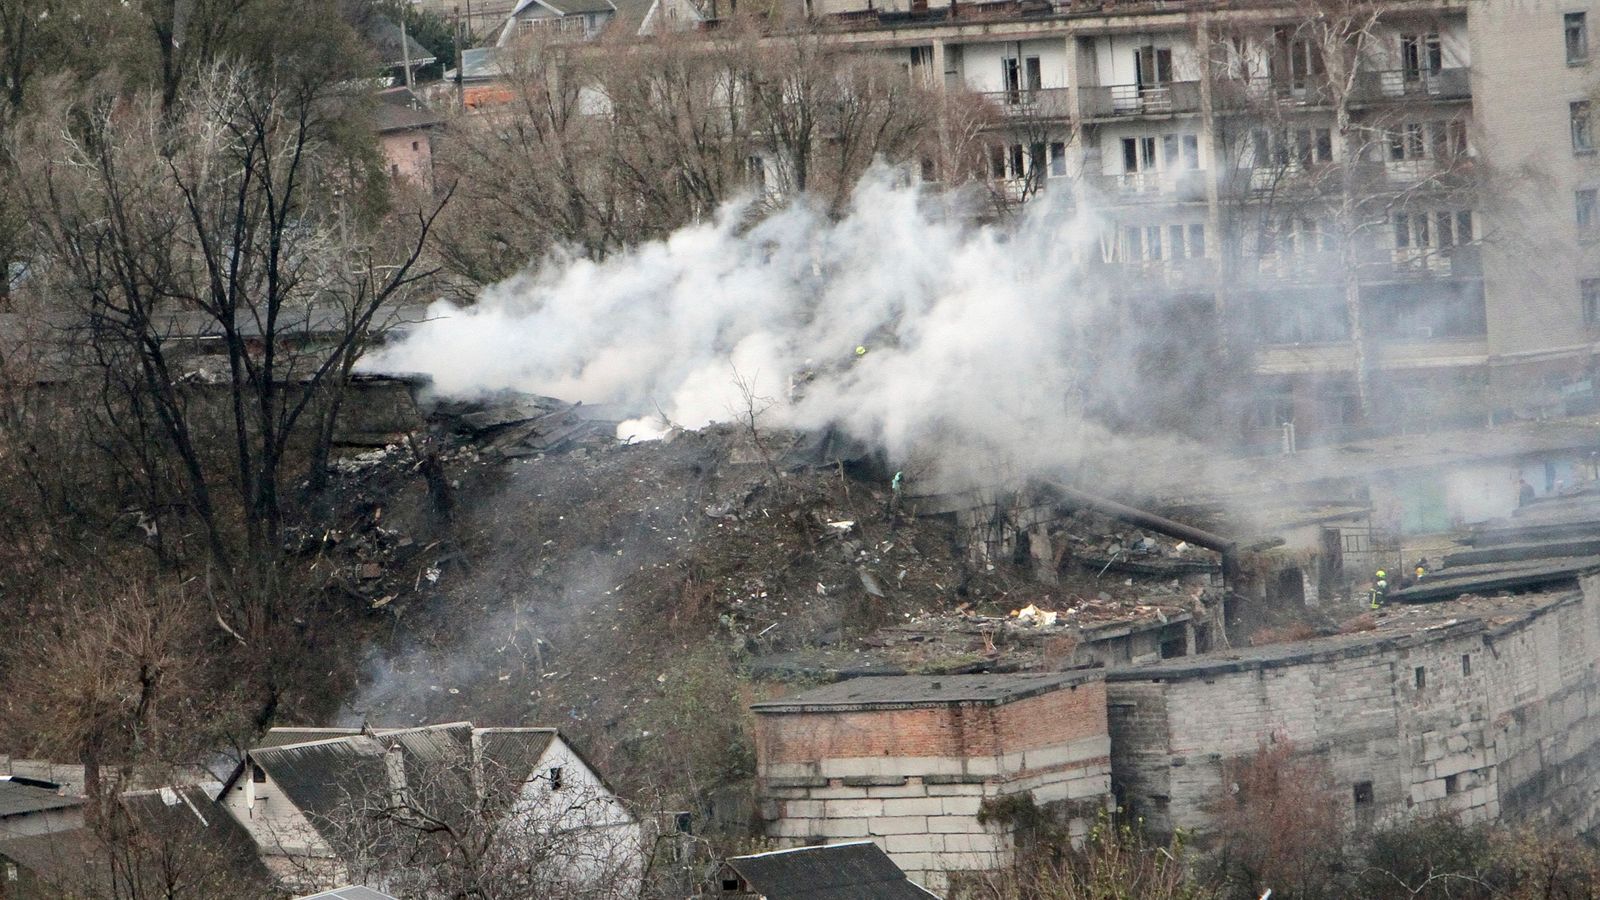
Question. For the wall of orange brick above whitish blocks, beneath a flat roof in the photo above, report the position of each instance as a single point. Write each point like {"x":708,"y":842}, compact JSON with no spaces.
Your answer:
{"x":914,"y":779}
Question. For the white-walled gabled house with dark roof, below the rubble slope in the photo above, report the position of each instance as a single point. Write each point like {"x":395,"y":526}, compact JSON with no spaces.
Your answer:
{"x":382,"y":808}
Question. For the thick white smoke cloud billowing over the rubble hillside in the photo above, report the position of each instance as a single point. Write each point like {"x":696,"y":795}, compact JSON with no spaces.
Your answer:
{"x":978,"y":340}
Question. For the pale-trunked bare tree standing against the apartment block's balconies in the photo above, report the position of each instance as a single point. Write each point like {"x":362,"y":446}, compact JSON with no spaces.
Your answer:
{"x":1326,"y":155}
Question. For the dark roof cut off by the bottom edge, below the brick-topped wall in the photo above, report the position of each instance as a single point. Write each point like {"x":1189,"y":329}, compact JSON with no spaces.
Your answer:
{"x":839,"y":872}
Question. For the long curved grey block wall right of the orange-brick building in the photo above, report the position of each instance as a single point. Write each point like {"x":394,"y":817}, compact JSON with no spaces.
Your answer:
{"x":1490,"y":718}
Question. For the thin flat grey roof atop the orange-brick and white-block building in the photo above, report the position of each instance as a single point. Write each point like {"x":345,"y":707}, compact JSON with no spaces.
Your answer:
{"x":898,"y":693}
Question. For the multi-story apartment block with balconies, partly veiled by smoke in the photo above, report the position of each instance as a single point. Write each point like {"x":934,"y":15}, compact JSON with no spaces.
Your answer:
{"x":1385,"y":211}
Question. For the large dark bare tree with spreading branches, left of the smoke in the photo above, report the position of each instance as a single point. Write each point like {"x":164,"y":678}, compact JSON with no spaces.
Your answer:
{"x":223,"y":223}
